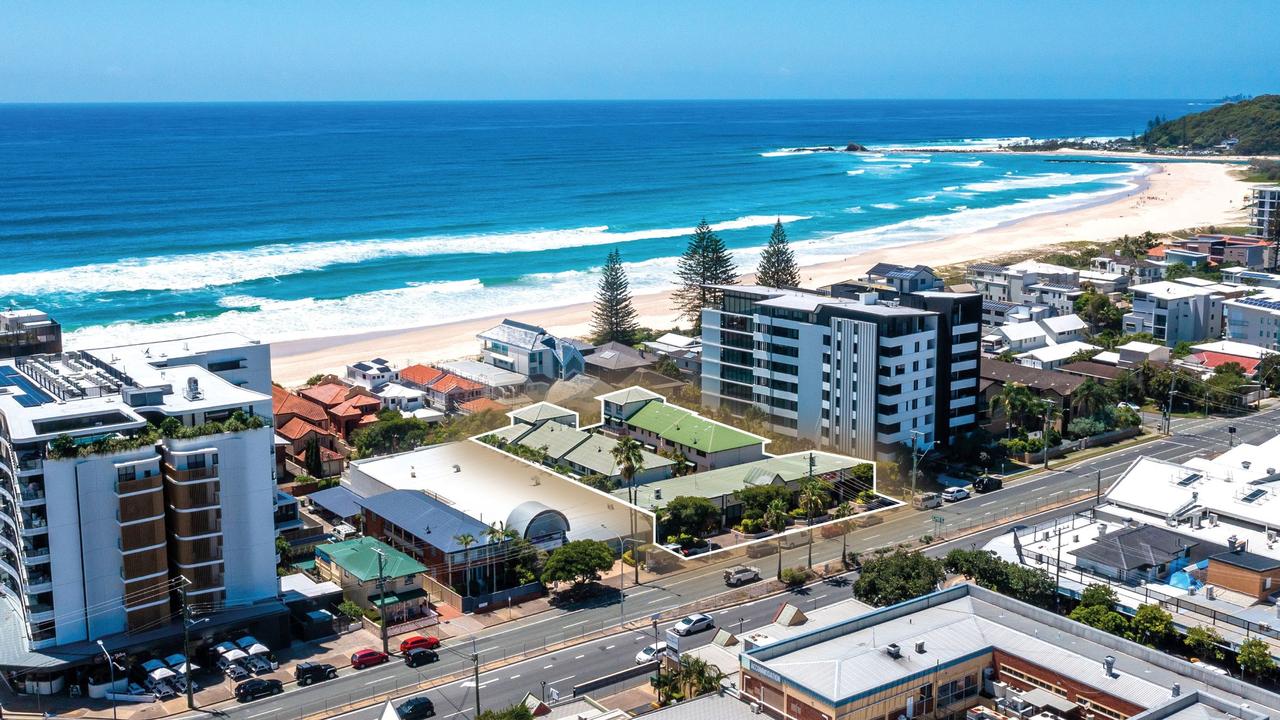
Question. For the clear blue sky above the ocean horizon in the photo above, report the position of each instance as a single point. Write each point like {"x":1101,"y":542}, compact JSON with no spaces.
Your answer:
{"x":127,"y":51}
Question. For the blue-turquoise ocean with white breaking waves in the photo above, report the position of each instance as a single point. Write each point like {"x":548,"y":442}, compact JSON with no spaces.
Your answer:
{"x":290,"y":221}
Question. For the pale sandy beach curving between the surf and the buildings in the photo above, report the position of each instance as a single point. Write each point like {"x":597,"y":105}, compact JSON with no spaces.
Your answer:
{"x":1173,"y":197}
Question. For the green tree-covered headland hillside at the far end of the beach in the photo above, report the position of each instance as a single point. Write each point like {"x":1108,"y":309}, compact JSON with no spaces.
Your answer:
{"x":1254,"y":124}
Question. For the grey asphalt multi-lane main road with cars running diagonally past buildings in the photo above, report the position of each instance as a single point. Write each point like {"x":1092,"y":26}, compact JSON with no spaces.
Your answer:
{"x":591,"y":660}
